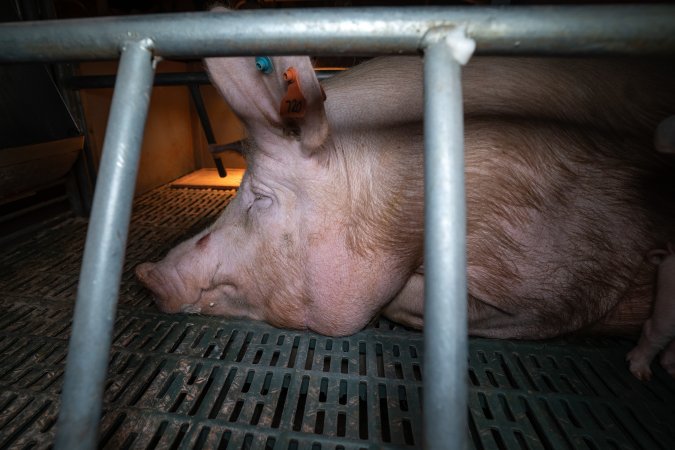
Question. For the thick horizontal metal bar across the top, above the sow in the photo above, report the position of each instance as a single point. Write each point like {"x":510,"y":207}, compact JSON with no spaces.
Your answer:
{"x":586,"y":29}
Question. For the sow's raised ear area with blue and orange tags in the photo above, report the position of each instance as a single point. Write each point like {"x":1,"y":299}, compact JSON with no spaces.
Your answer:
{"x":283,"y":100}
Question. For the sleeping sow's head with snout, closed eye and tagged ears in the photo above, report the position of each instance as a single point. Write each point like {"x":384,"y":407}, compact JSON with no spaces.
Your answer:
{"x":290,"y":248}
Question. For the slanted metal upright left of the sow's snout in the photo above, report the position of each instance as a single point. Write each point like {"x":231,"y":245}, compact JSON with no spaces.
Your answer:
{"x":88,"y":352}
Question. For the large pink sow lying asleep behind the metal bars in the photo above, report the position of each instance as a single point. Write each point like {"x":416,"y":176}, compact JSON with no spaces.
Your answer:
{"x":565,"y":194}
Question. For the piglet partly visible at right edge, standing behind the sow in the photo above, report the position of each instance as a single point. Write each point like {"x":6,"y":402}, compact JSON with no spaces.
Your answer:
{"x":659,"y":329}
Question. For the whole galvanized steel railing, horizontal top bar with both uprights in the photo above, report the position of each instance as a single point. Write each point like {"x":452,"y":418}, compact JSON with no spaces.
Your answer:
{"x":141,"y":41}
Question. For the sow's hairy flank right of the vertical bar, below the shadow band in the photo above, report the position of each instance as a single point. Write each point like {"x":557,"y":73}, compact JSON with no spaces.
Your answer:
{"x":557,"y":236}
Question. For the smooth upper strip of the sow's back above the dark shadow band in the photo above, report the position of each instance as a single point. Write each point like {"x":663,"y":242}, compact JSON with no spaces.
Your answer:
{"x":631,"y":95}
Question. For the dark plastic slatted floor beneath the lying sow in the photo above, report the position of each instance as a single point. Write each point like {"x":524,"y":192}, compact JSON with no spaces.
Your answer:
{"x":197,"y":382}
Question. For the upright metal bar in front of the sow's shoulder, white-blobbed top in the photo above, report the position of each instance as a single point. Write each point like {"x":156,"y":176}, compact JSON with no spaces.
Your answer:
{"x":445,"y":308}
